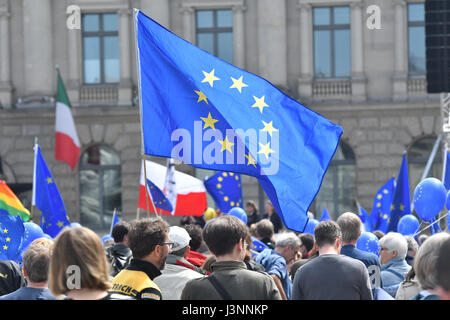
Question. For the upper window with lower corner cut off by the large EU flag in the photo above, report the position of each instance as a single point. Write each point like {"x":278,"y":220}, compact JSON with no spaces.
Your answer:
{"x":214,"y":31}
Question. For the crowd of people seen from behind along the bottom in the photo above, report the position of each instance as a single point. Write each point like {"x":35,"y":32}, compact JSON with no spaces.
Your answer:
{"x":218,"y":260}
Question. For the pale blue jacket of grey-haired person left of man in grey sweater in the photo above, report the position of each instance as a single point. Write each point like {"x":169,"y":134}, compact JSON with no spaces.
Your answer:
{"x":275,"y":264}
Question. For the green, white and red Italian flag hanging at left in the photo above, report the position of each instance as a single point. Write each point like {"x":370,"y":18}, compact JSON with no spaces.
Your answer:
{"x":67,"y":145}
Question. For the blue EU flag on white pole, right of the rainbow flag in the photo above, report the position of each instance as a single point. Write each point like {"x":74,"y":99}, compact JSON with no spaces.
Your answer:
{"x":46,"y":197}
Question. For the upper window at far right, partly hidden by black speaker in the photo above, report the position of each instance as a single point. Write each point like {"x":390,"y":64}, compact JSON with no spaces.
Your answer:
{"x":416,"y":39}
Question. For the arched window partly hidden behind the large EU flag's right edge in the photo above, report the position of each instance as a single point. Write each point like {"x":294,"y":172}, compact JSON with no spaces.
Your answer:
{"x":338,"y":190}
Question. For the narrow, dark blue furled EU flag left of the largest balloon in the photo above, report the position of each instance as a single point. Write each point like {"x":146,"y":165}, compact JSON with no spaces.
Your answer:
{"x":401,"y":202}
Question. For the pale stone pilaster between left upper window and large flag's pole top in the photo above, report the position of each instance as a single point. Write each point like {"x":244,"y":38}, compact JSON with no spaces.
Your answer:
{"x":125,"y":90}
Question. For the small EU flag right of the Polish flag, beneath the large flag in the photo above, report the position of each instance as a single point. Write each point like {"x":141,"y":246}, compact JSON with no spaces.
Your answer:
{"x":226,"y":190}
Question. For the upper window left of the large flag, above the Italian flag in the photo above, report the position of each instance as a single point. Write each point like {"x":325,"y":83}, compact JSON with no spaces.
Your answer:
{"x":100,"y":48}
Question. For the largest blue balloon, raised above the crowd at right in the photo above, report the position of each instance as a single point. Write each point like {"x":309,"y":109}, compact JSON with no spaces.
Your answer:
{"x":429,"y":198}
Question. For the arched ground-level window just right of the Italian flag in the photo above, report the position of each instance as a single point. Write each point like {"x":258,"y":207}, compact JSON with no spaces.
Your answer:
{"x":100,"y":187}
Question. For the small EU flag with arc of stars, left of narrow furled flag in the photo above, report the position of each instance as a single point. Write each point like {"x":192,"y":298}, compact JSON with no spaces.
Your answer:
{"x":381,"y":209}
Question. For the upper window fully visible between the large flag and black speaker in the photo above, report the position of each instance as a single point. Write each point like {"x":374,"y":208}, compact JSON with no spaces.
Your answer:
{"x":331,"y":27}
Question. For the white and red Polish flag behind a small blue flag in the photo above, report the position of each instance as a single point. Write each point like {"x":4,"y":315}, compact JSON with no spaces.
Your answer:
{"x":190,"y":191}
